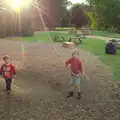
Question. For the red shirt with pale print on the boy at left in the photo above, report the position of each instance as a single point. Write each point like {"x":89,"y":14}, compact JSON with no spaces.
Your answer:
{"x":8,"y":70}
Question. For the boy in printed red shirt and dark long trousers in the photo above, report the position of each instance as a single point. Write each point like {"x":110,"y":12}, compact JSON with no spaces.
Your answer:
{"x":8,"y":71}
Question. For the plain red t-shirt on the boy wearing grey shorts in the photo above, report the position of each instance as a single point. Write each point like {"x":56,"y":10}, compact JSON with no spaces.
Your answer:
{"x":75,"y":65}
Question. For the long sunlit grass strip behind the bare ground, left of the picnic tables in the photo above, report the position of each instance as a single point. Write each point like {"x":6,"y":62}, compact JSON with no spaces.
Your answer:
{"x":41,"y":36}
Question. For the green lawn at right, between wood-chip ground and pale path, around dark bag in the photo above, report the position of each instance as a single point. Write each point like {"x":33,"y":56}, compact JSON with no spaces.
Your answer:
{"x":97,"y":48}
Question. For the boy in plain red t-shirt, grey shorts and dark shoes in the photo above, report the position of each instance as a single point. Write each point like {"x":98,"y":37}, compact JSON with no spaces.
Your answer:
{"x":75,"y":66}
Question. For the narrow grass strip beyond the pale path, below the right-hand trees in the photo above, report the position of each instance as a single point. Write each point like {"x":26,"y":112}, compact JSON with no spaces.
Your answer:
{"x":106,"y":34}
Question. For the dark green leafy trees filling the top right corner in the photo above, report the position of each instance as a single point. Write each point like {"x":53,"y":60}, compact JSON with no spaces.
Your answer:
{"x":106,"y":13}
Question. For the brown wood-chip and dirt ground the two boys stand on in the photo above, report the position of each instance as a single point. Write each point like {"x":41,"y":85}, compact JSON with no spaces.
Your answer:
{"x":39,"y":91}
